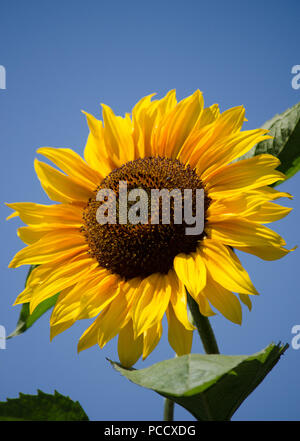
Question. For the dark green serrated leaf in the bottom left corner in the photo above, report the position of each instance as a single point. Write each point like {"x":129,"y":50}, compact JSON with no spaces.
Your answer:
{"x":41,"y":407}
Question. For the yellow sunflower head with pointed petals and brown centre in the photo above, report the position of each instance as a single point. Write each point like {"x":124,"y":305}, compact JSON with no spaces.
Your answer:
{"x":127,"y":277}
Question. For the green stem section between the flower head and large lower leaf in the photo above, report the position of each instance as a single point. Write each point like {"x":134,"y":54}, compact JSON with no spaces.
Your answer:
{"x":204,"y":328}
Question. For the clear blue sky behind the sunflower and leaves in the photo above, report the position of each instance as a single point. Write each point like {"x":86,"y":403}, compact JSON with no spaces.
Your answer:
{"x":62,"y":57}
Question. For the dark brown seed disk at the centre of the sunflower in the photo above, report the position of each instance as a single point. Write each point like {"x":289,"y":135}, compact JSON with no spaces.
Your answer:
{"x":143,"y":249}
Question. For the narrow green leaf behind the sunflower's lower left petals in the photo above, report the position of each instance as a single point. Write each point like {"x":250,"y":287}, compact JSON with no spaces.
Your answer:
{"x":26,"y":320}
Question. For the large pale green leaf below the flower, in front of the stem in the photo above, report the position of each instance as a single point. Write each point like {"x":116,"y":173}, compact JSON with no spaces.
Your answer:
{"x":211,"y":387}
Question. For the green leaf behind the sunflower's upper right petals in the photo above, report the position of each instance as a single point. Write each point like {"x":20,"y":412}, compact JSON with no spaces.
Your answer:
{"x":285,"y":129}
